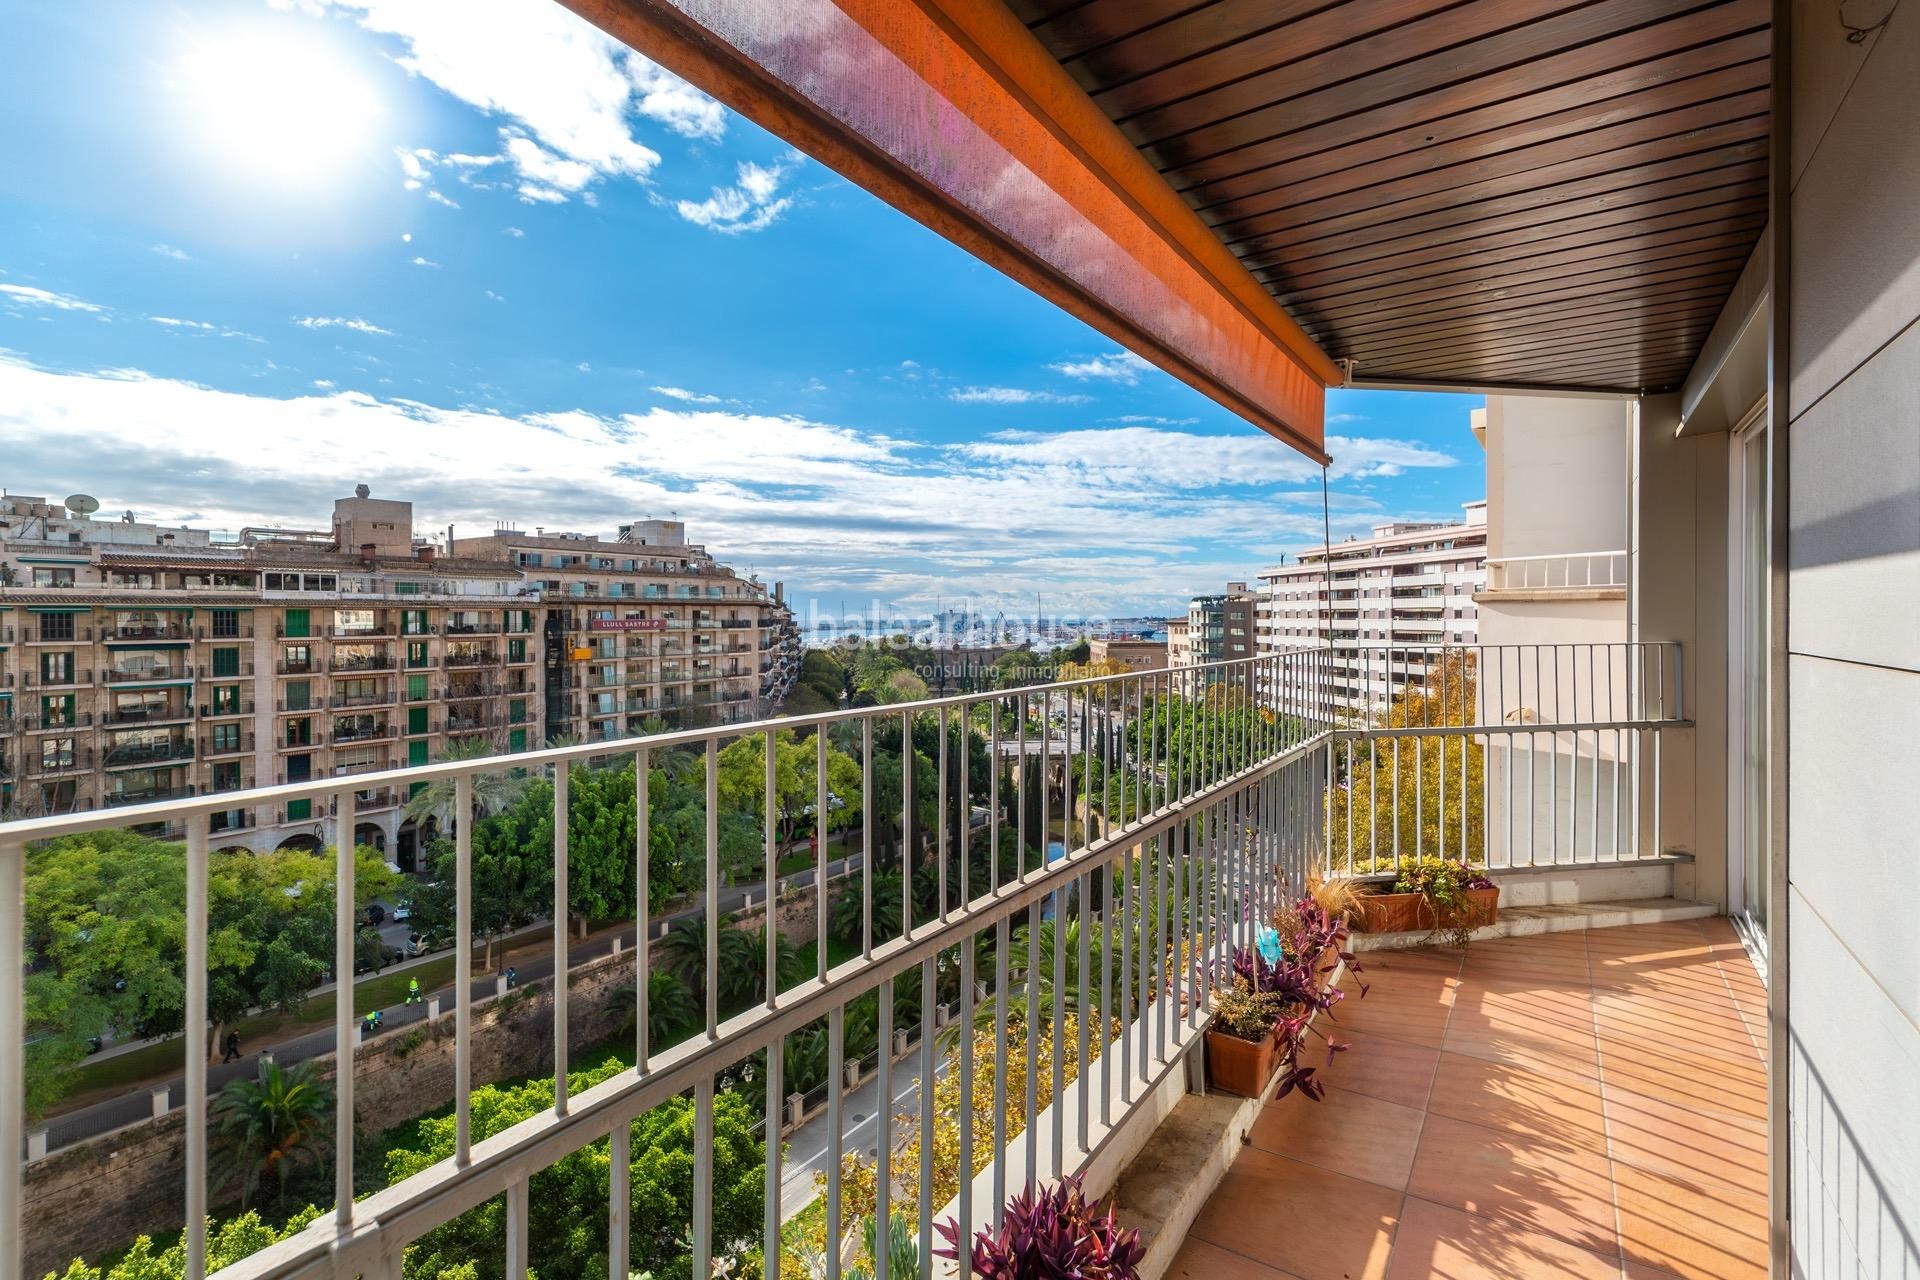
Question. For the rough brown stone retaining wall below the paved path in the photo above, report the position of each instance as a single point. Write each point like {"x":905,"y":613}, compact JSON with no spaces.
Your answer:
{"x":99,"y":1195}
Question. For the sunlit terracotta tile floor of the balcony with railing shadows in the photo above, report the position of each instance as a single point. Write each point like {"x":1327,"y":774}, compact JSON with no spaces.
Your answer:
{"x":1579,"y":1104}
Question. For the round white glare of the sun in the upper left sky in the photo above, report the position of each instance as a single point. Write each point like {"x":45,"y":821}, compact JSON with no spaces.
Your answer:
{"x":285,"y":110}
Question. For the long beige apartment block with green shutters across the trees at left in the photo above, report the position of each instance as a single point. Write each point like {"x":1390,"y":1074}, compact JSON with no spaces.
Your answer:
{"x":145,"y":663}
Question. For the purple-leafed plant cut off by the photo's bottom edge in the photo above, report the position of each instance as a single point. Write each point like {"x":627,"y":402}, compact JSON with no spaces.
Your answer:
{"x":1053,"y":1233}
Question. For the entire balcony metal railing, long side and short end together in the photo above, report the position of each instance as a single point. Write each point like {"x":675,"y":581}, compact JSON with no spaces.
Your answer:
{"x":1161,"y":815}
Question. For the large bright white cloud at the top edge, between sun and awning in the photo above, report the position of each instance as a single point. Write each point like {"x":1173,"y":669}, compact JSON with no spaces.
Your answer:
{"x":565,"y":85}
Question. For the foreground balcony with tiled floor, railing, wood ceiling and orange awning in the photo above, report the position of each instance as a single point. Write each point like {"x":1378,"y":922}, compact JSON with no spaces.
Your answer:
{"x":1612,"y":1079}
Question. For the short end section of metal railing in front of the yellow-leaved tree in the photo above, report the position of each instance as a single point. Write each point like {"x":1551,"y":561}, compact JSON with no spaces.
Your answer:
{"x":1510,"y":755}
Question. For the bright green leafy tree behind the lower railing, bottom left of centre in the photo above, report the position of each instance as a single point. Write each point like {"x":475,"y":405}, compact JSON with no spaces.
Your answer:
{"x":569,"y":1237}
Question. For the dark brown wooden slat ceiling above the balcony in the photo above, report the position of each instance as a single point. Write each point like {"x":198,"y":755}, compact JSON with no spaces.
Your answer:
{"x":1524,"y":193}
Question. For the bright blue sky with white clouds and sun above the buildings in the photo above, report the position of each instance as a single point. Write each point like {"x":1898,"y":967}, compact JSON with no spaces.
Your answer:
{"x":475,"y":254}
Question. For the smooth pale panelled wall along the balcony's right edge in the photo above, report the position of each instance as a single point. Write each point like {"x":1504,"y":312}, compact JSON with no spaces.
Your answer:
{"x":1854,"y":646}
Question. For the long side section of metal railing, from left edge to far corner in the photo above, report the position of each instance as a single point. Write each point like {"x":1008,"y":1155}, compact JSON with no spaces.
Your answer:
{"x":1176,"y":834}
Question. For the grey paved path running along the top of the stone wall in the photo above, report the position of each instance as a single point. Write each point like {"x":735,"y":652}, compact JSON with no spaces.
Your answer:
{"x":137,"y":1104}
